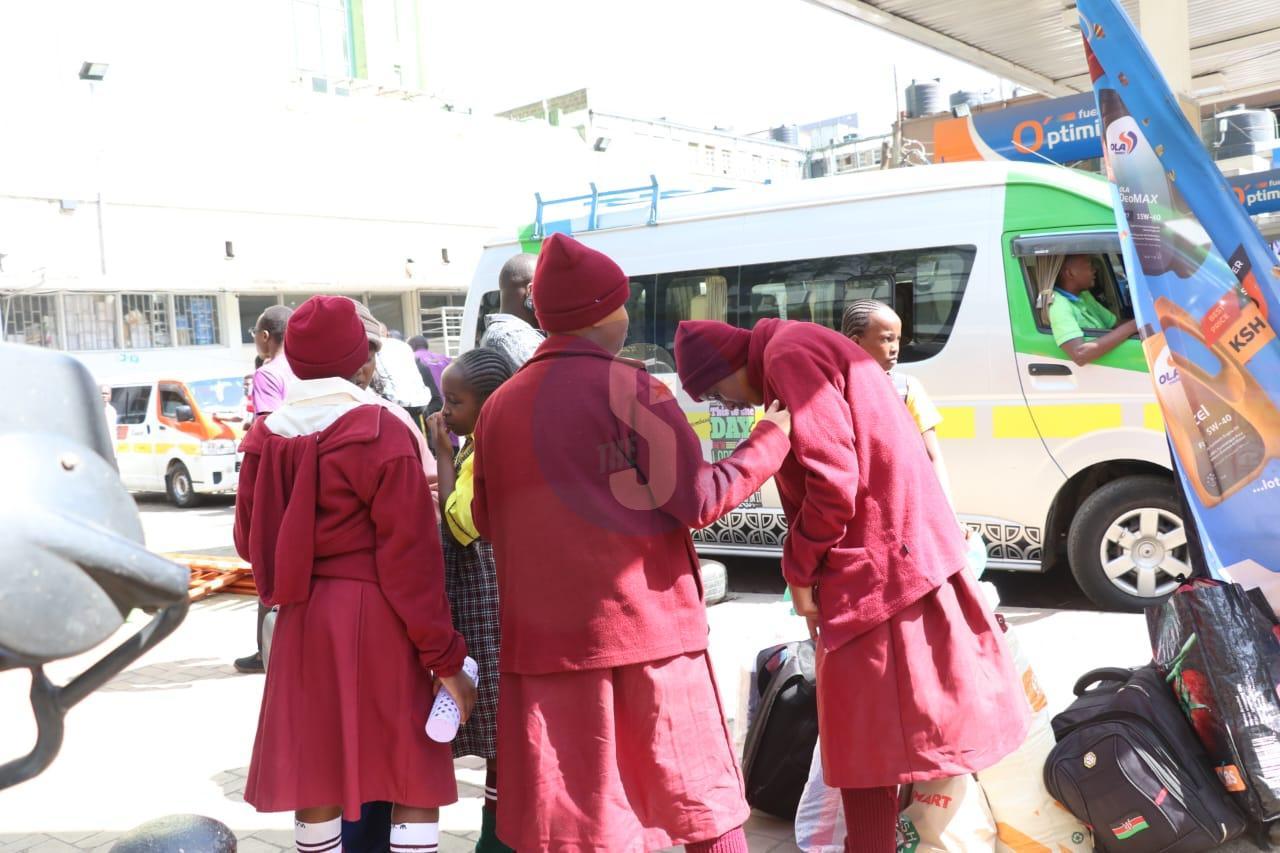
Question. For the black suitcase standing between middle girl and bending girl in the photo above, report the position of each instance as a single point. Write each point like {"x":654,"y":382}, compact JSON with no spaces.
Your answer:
{"x":783,"y":735}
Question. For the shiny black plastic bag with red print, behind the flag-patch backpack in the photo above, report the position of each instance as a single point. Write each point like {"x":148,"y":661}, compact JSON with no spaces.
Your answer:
{"x":1222,"y":658}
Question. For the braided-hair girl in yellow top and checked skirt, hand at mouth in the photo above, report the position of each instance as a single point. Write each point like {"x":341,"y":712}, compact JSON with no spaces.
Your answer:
{"x":470,"y":572}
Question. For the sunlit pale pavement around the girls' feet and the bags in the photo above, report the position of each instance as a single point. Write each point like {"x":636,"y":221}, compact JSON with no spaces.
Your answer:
{"x":173,"y":733}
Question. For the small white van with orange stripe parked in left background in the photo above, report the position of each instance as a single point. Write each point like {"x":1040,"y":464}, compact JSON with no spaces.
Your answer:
{"x":180,"y":437}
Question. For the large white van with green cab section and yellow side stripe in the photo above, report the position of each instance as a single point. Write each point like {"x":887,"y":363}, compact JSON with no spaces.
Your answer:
{"x":1050,"y":462}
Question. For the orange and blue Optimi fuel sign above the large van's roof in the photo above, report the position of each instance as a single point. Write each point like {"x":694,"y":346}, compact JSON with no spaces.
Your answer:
{"x":1062,"y":130}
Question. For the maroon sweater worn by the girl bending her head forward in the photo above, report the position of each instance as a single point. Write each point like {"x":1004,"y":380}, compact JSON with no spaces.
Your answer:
{"x":868,"y":522}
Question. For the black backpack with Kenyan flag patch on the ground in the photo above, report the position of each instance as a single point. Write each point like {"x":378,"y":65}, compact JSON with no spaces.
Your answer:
{"x":1128,"y":764}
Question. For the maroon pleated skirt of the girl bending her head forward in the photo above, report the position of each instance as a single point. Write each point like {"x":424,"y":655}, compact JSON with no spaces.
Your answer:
{"x":931,"y":694}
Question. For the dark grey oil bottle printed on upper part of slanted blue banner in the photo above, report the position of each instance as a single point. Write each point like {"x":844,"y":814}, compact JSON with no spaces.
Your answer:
{"x":1167,"y":236}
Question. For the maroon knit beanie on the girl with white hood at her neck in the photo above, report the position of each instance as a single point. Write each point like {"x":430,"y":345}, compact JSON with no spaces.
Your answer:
{"x":326,"y":339}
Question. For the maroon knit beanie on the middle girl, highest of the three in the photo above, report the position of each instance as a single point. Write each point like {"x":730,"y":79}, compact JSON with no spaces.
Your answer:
{"x":577,"y":288}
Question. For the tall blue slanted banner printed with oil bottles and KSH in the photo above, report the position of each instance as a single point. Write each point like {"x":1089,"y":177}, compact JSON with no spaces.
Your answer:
{"x":1206,"y":290}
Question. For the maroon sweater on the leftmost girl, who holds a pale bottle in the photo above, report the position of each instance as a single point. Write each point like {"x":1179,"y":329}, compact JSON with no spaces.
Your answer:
{"x":350,"y":501}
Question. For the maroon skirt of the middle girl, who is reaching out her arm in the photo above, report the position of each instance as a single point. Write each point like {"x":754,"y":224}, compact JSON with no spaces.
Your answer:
{"x":623,"y":760}
